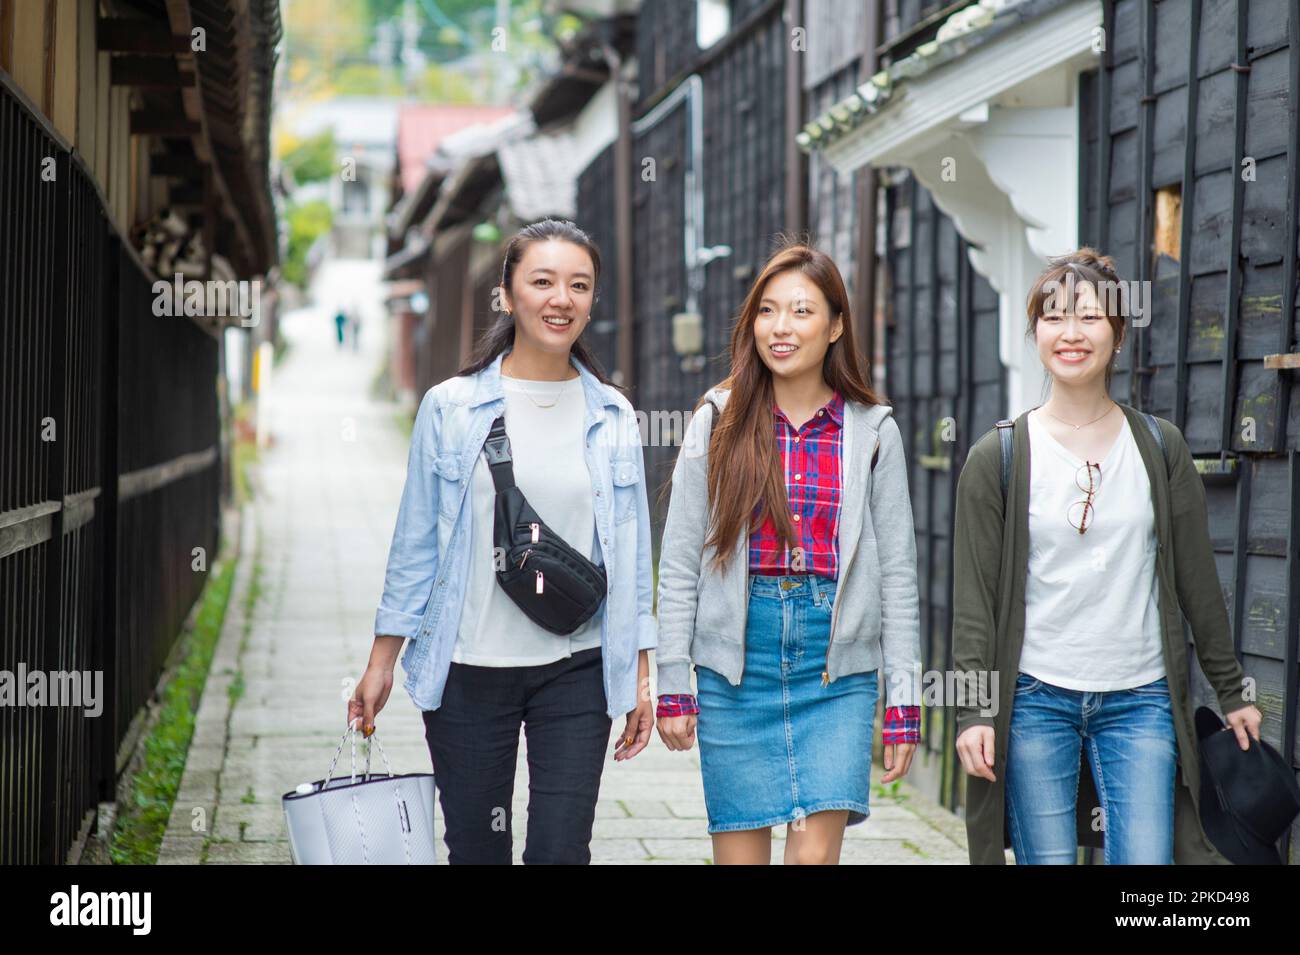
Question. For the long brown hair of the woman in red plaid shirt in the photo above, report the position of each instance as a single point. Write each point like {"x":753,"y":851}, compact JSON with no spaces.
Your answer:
{"x":744,"y":436}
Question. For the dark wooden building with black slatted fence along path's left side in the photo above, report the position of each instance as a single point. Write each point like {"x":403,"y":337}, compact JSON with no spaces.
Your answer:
{"x":122,"y":155}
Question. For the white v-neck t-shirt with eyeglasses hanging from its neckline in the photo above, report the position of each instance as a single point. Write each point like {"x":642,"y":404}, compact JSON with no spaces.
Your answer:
{"x":1091,"y":601}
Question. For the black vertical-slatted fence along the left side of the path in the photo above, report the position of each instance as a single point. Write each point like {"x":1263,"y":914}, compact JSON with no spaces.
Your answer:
{"x":96,"y":393}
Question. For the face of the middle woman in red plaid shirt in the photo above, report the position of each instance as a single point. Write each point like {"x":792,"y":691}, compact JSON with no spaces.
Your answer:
{"x":794,"y":327}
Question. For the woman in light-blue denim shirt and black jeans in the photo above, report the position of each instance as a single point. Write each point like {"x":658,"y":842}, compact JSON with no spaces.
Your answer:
{"x":476,"y":665}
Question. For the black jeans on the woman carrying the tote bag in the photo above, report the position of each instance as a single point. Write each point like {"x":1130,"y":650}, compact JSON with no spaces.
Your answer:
{"x":474,"y":741}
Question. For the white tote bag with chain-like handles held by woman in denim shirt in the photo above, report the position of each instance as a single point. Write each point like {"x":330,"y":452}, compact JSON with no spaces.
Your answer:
{"x":362,"y":821}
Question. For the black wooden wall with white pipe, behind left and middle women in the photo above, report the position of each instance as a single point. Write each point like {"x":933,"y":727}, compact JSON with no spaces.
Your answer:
{"x":743,"y":181}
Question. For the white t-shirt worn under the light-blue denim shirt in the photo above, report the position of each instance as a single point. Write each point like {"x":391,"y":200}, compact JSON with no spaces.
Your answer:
{"x":551,"y":468}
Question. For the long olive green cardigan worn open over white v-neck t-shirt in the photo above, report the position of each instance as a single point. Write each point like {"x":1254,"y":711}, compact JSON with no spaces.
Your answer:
{"x":990,"y":566}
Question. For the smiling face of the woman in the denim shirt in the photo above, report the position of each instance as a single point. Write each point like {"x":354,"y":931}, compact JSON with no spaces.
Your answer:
{"x":552,"y":294}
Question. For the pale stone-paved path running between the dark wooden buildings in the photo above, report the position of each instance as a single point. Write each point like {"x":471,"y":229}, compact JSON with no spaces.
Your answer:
{"x":315,"y":545}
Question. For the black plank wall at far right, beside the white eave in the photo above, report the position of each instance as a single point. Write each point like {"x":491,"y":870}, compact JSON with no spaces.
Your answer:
{"x":1199,"y":98}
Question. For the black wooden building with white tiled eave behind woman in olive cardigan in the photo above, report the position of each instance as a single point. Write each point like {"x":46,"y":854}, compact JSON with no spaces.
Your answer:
{"x":1163,"y":133}
